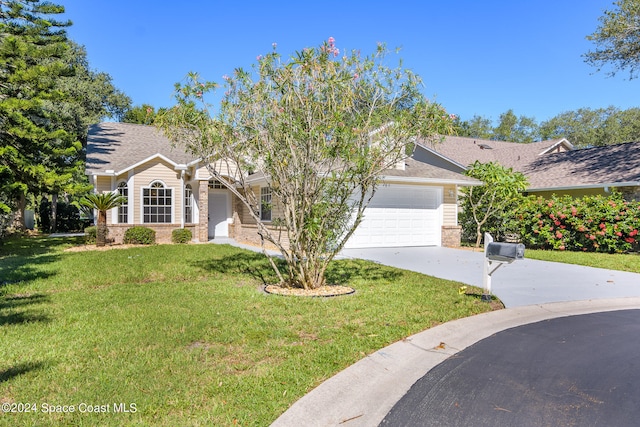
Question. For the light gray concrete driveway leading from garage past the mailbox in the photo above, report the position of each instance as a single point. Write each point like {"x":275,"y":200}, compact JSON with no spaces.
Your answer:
{"x":521,"y":283}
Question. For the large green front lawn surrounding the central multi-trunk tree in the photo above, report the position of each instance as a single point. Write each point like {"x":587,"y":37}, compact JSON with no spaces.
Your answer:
{"x":183,"y":335}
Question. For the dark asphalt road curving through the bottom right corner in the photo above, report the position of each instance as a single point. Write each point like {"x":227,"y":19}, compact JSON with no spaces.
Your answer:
{"x":570,"y":371}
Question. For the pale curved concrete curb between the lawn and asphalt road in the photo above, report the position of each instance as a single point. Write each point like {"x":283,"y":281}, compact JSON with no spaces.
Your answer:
{"x":365,"y":392}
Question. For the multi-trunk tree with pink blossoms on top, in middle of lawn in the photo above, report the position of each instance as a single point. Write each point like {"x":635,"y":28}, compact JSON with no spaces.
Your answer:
{"x":320,"y":128}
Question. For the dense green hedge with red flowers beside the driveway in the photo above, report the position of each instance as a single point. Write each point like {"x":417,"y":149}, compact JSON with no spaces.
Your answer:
{"x":592,"y":223}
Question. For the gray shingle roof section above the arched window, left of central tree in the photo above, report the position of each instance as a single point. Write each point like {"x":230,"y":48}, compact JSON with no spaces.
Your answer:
{"x":118,"y":146}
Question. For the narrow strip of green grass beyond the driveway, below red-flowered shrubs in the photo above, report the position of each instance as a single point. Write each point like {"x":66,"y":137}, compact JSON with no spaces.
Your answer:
{"x":622,"y":262}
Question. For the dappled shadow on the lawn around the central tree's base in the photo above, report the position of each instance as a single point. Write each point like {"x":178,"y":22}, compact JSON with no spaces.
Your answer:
{"x":340,"y":272}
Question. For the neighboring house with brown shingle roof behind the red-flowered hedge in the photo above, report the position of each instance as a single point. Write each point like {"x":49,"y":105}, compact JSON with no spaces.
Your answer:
{"x":552,"y":167}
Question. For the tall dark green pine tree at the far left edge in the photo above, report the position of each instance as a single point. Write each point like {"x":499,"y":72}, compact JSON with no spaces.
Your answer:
{"x":32,"y":45}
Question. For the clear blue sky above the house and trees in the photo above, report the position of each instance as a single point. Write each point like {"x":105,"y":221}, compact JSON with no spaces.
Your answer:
{"x":475,"y":57}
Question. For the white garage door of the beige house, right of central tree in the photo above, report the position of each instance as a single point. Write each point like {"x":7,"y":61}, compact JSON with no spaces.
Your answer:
{"x":401,"y":216}
